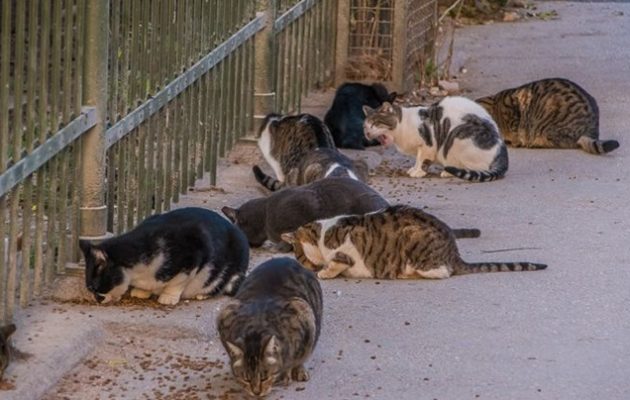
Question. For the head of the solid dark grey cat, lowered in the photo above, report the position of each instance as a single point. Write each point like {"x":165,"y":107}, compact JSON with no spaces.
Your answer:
{"x":250,"y":218}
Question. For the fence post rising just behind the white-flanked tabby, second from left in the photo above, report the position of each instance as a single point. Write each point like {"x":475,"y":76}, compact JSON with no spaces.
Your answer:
{"x":264,"y":92}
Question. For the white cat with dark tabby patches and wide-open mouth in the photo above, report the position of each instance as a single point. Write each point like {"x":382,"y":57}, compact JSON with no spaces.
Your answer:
{"x":455,"y":133}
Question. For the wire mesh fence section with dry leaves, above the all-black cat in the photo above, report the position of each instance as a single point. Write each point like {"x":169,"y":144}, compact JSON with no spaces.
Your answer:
{"x":388,"y":40}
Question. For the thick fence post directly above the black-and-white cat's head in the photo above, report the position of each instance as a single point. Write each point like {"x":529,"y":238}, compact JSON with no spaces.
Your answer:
{"x":93,"y":211}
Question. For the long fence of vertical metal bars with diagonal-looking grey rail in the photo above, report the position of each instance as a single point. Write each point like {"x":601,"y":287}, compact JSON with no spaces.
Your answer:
{"x":109,"y":110}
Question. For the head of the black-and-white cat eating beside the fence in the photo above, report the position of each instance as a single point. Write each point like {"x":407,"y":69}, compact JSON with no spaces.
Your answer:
{"x":106,"y":280}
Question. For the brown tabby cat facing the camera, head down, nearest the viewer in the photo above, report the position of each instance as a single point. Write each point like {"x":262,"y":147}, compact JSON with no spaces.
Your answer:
{"x":272,"y":325}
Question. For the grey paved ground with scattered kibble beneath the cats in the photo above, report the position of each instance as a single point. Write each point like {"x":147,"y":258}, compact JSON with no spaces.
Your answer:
{"x":563,"y":333}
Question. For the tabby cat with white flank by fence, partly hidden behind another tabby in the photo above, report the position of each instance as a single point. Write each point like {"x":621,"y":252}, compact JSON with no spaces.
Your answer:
{"x":284,"y":141}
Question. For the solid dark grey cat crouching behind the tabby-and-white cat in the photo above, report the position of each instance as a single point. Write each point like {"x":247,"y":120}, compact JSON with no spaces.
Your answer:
{"x":266,"y":218}
